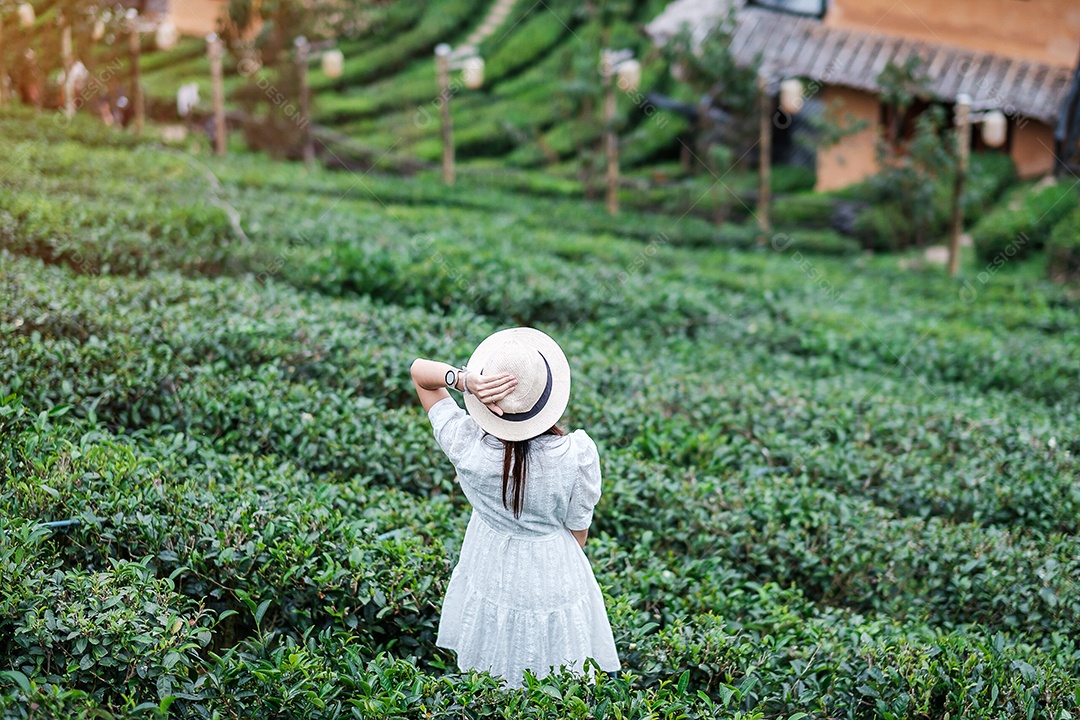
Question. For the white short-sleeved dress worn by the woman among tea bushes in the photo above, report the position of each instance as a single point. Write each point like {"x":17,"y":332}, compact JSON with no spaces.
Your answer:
{"x":523,"y":594}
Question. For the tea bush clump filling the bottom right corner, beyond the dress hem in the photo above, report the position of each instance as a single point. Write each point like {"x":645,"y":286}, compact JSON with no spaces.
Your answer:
{"x":784,"y":656}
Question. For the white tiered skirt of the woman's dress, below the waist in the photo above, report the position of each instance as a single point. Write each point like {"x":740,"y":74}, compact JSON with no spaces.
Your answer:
{"x":524,"y":603}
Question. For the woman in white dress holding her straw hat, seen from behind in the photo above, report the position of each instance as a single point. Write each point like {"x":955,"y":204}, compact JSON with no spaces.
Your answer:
{"x":523,"y":595}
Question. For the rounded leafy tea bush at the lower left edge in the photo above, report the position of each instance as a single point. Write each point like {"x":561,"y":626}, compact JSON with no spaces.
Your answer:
{"x":97,"y":632}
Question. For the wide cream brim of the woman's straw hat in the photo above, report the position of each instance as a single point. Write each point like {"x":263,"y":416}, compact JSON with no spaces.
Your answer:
{"x":551,"y":412}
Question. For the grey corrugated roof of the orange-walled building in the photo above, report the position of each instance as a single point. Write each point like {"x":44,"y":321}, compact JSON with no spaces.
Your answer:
{"x":799,"y":47}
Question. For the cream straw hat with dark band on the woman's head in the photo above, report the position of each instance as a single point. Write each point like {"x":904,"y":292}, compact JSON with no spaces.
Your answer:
{"x":544,"y":383}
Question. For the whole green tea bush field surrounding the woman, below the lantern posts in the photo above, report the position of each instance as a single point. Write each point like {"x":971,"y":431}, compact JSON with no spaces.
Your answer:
{"x":833,"y":488}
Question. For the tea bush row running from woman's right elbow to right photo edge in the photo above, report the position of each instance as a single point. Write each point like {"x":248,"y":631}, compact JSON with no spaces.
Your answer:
{"x":844,"y":550}
